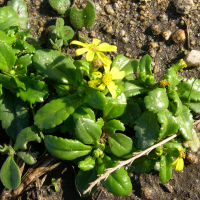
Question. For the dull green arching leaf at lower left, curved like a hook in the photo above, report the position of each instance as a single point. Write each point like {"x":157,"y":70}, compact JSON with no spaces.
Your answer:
{"x":26,"y":135}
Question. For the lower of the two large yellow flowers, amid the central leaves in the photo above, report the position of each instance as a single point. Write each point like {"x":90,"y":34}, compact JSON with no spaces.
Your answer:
{"x":107,"y":80}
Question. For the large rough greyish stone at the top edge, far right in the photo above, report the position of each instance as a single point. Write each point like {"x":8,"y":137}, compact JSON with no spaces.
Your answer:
{"x":184,"y":6}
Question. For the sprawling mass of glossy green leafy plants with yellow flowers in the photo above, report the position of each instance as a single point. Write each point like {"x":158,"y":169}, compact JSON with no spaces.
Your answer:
{"x":111,"y":114}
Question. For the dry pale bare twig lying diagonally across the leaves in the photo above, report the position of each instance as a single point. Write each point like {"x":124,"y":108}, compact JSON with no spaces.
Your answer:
{"x":126,"y":162}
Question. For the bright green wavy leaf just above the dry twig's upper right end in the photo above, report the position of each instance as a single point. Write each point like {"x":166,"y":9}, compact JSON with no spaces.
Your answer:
{"x":168,"y":124}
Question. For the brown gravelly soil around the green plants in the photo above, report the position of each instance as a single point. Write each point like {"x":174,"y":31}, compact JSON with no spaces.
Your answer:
{"x":135,"y":27}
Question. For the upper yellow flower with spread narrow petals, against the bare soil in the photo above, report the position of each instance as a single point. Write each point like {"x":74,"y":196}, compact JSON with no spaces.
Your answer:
{"x":93,"y":49}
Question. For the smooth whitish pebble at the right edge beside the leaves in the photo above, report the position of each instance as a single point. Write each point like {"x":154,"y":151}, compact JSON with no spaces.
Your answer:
{"x":192,"y":59}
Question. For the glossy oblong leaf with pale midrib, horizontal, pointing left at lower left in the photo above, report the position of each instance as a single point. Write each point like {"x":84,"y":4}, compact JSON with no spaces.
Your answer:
{"x":66,"y":149}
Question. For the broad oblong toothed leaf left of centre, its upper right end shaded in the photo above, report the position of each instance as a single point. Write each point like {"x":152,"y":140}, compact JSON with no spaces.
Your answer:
{"x":56,"y":111}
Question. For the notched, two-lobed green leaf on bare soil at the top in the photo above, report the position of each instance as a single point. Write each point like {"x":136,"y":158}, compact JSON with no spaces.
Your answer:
{"x":83,"y":18}
